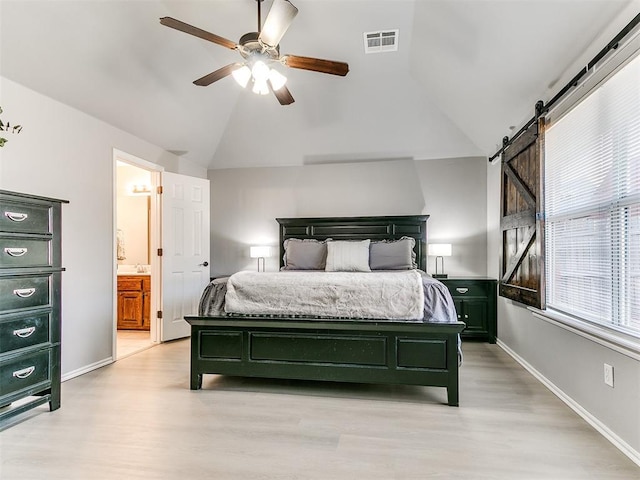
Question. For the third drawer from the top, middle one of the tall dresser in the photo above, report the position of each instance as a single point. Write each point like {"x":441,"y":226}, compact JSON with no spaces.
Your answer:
{"x":24,"y":292}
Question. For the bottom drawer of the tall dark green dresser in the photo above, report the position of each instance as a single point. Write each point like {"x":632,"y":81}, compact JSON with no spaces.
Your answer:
{"x":25,"y":371}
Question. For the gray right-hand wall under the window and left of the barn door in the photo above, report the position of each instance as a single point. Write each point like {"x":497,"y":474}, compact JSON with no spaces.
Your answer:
{"x":572,"y":363}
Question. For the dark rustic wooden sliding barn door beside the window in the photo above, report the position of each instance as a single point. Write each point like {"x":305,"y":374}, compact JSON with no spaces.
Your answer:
{"x":521,"y":222}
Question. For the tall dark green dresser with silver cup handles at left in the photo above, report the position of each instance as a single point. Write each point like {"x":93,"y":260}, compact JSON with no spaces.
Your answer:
{"x":30,"y":319}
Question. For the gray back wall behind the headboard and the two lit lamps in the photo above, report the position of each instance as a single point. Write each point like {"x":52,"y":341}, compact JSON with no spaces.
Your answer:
{"x":245,"y":203}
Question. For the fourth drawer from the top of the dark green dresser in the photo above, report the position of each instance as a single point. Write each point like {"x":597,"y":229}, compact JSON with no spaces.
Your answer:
{"x":24,"y":331}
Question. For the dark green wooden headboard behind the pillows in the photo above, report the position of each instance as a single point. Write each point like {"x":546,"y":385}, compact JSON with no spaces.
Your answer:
{"x":359,"y":228}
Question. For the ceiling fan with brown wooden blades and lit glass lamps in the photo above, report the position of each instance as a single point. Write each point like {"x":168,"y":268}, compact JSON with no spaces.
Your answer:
{"x":260,"y":50}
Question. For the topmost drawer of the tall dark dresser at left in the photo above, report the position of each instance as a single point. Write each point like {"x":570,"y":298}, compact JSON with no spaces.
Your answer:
{"x":24,"y":217}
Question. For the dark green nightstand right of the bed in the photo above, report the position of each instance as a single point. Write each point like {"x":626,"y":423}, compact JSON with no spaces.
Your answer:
{"x":475,"y":299}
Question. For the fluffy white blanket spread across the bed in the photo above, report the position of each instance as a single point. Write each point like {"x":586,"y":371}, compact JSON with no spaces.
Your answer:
{"x":395,"y":295}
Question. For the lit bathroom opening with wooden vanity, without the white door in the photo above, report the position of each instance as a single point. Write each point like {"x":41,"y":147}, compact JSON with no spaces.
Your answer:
{"x":136,"y":269}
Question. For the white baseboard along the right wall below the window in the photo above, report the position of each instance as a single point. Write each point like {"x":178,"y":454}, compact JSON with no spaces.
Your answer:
{"x":619,"y":443}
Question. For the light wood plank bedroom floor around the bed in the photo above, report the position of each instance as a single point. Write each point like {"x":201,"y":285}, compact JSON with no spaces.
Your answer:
{"x":137,"y":419}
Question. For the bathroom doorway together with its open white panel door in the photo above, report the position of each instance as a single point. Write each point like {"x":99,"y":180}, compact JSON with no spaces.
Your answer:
{"x":165,"y":279}
